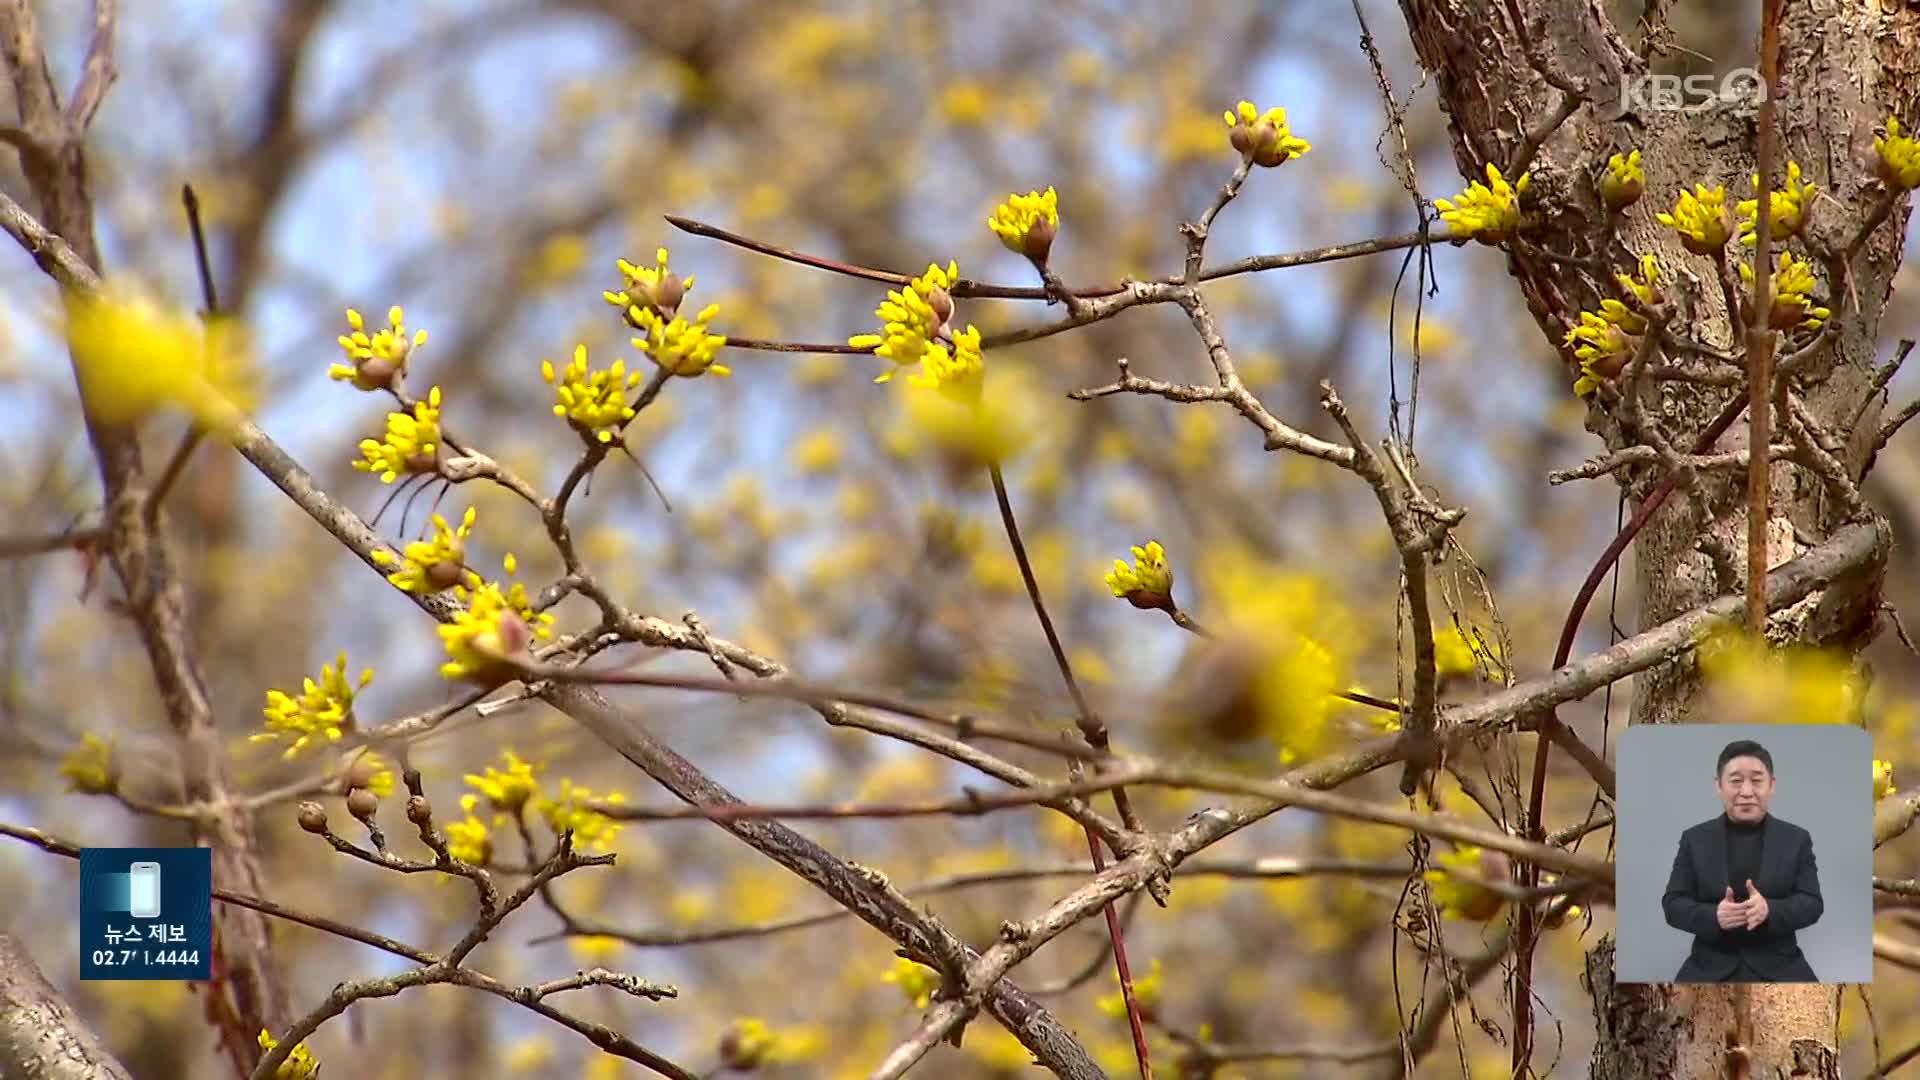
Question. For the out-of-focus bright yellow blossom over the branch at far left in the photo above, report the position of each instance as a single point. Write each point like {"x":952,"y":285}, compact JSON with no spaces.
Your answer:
{"x":135,"y":356}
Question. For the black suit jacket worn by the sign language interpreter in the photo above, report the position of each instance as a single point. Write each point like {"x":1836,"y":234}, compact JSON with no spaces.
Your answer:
{"x":1787,"y":879}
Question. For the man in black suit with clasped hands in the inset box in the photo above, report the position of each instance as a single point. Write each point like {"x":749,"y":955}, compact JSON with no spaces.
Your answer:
{"x":1744,"y":883}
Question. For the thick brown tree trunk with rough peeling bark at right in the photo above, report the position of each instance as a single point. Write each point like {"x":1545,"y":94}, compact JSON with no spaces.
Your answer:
{"x":1844,"y":70}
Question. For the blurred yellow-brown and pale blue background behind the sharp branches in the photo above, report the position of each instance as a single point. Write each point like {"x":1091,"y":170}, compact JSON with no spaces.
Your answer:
{"x":485,"y":166}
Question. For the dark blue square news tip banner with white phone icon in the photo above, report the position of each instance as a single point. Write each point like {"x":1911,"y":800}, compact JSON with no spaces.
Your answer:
{"x":147,"y":914}
